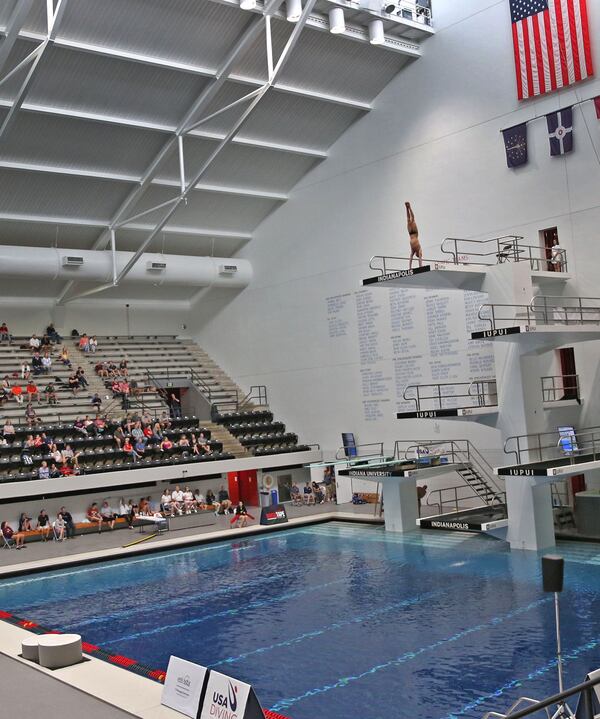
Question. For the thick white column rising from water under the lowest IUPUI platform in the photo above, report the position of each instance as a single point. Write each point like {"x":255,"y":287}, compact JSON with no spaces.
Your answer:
{"x":530,"y":517}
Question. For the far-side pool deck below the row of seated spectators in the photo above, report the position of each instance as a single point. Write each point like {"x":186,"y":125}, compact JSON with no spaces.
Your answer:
{"x":42,"y":556}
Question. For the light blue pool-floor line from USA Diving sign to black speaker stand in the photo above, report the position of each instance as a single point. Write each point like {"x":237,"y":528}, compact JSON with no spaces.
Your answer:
{"x":408,"y":656}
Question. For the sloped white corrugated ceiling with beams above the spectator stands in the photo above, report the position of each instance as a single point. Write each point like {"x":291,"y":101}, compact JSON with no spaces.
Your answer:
{"x":114,"y":84}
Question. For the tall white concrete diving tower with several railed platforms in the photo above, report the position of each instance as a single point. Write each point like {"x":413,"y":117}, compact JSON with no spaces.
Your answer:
{"x":525,"y":316}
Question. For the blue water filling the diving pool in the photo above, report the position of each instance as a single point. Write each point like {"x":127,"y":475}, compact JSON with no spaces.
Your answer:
{"x":339,"y":620}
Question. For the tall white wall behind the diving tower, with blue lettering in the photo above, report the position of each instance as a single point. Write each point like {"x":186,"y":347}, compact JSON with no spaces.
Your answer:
{"x":433,"y":137}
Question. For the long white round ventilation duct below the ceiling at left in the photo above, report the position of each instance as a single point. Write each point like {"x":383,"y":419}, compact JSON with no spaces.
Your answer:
{"x":96,"y":266}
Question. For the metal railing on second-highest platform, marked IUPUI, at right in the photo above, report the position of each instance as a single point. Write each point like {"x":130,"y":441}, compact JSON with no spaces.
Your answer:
{"x":543,"y":310}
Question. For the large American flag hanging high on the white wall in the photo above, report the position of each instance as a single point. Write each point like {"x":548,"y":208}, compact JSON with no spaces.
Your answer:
{"x":552,"y":44}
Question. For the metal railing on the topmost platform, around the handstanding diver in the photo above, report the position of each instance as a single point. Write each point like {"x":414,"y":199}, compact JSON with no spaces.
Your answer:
{"x":507,"y":248}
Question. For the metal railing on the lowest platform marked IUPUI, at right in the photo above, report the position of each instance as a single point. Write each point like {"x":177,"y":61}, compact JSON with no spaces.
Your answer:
{"x":547,"y":446}
